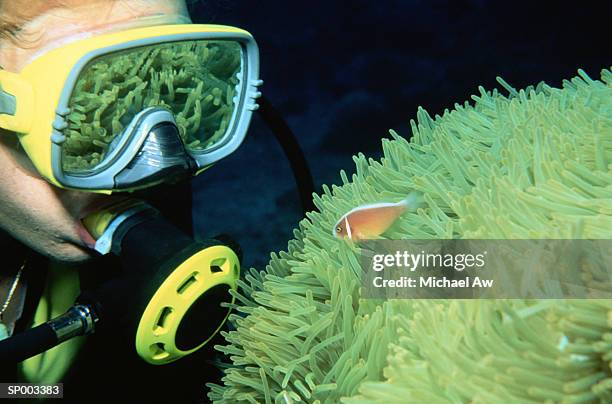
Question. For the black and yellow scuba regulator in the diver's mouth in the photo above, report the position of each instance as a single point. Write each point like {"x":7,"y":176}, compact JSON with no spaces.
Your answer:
{"x":177,"y":288}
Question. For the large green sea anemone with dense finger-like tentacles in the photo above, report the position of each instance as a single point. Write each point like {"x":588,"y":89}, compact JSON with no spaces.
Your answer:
{"x":534,"y":164}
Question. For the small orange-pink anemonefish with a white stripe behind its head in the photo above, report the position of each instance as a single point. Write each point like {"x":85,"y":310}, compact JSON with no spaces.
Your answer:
{"x":371,"y":220}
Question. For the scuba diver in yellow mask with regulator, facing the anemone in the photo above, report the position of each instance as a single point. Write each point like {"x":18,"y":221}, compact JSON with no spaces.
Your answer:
{"x":107,"y":108}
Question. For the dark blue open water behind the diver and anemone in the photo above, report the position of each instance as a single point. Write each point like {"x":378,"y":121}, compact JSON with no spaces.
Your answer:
{"x":343,"y":72}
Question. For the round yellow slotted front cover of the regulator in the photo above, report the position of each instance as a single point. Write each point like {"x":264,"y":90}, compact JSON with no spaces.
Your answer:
{"x":157,"y":330}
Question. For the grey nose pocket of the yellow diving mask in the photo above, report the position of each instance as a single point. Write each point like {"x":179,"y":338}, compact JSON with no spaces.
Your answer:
{"x":162,"y":155}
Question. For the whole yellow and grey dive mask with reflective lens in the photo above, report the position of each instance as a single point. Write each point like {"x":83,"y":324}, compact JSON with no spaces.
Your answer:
{"x":130,"y":109}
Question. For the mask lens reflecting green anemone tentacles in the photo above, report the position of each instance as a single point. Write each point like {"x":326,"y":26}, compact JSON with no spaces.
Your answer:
{"x":198,"y":81}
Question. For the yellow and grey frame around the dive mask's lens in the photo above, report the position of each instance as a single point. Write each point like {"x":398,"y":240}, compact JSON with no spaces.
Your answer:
{"x":34,"y":102}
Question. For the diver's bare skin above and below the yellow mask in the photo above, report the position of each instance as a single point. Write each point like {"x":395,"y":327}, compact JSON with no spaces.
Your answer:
{"x":46,"y":218}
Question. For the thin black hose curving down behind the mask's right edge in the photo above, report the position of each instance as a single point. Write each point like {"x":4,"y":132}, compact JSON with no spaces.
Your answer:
{"x":286,"y":138}
